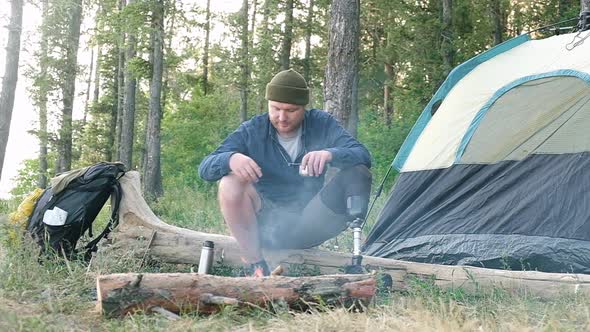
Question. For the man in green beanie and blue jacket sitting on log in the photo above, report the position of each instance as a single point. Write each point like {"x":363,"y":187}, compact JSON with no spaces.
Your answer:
{"x":272,"y":168}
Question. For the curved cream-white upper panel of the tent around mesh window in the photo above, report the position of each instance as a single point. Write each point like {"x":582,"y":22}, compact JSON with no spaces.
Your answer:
{"x":439,"y":142}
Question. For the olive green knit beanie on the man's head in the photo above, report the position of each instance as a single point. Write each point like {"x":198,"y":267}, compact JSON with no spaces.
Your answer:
{"x":289,"y":87}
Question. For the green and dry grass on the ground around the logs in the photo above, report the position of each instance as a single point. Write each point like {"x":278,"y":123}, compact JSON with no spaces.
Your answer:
{"x":53,"y":296}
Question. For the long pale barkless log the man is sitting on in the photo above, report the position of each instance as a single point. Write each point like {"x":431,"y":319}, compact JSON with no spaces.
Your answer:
{"x":140,"y":228}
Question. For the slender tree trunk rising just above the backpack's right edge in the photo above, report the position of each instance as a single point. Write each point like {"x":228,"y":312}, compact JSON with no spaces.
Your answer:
{"x":120,"y":83}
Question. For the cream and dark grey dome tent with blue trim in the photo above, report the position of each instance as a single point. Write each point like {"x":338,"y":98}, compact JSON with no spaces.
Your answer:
{"x":496,"y":171}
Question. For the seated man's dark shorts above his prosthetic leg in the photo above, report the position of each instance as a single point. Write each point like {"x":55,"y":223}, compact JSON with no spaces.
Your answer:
{"x":301,"y":226}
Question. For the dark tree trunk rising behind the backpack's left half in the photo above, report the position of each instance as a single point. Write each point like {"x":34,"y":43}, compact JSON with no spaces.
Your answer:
{"x":69,"y":87}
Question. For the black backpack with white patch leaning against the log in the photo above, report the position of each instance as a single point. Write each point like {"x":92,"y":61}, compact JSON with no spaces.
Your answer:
{"x":67,"y":209}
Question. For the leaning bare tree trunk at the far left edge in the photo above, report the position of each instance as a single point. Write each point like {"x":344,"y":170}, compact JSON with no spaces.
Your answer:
{"x":10,"y":75}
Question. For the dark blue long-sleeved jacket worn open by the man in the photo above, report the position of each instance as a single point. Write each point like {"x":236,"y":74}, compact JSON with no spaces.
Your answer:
{"x":280,"y":181}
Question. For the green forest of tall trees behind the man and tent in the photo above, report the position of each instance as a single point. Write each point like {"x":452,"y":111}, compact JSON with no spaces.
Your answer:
{"x":212,"y":67}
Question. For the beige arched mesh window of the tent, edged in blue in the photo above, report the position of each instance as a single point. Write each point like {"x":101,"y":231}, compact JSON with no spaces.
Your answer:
{"x":543,"y":116}
